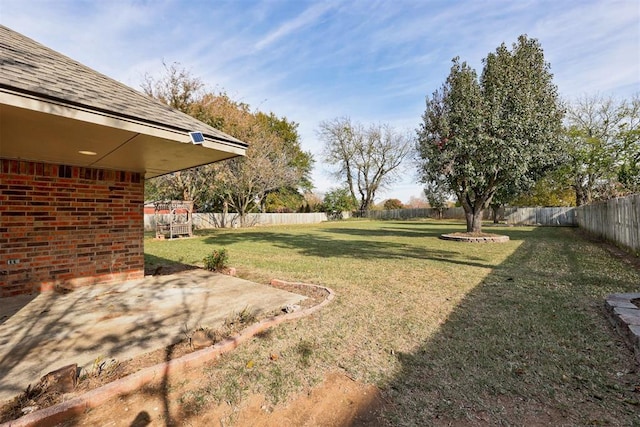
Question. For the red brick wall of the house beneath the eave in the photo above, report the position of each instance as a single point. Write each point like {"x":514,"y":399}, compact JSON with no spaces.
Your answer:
{"x":66,"y":226}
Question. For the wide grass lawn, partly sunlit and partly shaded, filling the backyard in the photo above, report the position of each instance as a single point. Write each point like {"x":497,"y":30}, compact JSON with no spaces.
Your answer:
{"x":509,"y":333}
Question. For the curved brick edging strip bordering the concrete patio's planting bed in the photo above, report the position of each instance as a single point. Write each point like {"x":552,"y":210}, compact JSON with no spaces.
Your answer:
{"x":94,"y":398}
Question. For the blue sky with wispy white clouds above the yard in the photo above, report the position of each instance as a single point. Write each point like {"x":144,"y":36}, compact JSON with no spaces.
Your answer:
{"x":374,"y":61}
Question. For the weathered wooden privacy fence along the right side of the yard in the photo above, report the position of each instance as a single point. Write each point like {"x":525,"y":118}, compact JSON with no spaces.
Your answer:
{"x":617,"y":220}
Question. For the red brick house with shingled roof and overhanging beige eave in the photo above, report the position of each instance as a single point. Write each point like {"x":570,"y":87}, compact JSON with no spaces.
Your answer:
{"x":72,"y":168}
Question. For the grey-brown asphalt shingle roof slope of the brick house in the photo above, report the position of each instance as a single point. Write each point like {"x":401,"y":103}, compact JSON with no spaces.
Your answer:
{"x":29,"y":67}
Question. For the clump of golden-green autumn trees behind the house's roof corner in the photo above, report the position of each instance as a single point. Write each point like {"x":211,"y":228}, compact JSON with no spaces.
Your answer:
{"x":274,"y":159}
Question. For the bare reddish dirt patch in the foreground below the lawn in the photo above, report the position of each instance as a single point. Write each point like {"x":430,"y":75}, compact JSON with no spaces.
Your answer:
{"x":337,"y":401}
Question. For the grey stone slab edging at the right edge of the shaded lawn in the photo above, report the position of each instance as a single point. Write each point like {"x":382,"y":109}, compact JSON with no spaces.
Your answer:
{"x":625,"y":317}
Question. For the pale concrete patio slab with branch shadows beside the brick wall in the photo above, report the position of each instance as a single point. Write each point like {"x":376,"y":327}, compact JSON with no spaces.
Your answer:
{"x":40,"y":333}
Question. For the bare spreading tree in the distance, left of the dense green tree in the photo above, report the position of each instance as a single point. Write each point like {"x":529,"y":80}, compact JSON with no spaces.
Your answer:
{"x":367,"y":159}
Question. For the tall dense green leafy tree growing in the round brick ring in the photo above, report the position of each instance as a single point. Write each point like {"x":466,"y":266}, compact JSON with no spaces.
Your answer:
{"x":478,"y":134}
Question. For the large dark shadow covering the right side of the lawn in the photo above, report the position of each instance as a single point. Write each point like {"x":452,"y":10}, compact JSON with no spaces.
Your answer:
{"x":530,"y":345}
